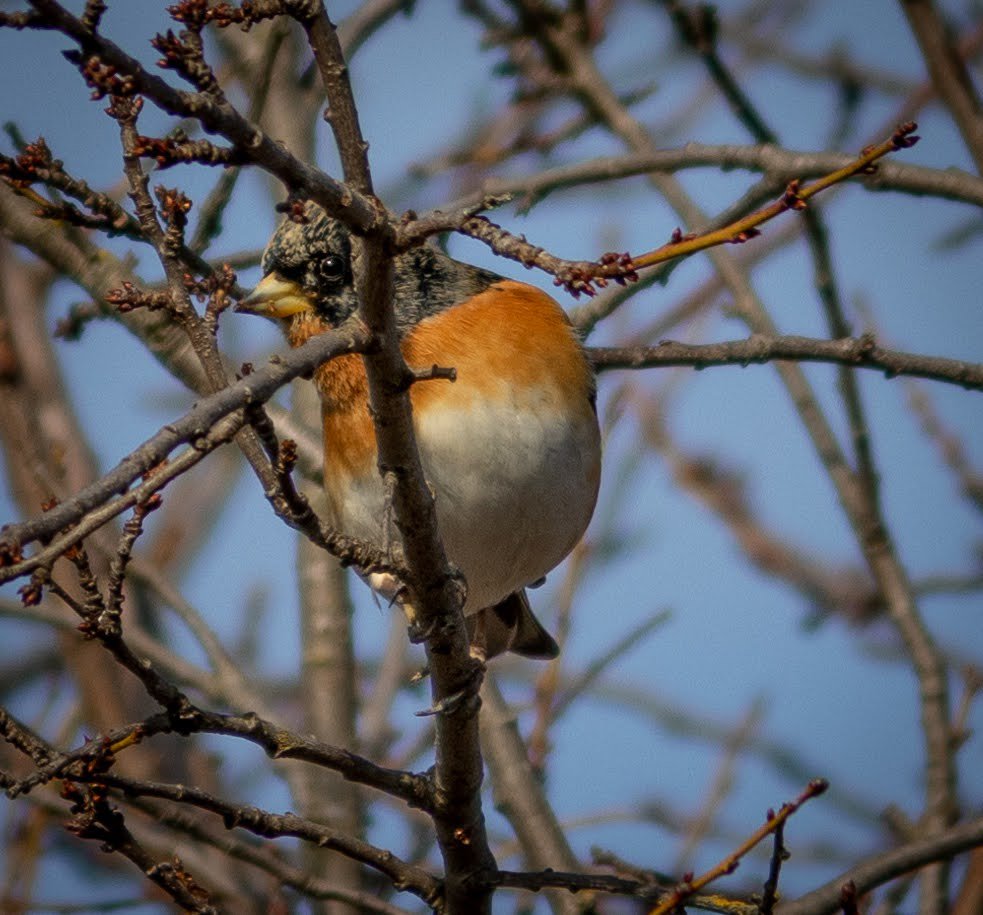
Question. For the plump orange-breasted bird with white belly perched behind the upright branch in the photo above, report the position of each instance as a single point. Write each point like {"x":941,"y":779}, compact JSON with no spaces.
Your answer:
{"x":511,"y":448}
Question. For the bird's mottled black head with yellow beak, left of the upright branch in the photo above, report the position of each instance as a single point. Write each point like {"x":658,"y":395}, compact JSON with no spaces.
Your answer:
{"x":307,"y":275}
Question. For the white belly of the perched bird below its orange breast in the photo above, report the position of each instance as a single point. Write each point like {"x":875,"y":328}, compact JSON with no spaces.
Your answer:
{"x":514,"y":487}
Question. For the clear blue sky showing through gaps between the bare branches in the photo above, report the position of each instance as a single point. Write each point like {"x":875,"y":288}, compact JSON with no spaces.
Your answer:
{"x":734,"y":637}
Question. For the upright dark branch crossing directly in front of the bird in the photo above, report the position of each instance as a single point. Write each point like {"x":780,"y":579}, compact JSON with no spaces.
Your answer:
{"x":455,"y":676}
